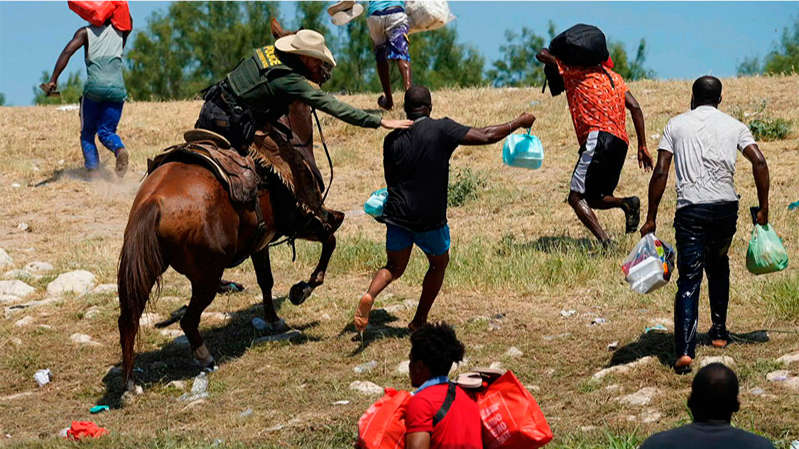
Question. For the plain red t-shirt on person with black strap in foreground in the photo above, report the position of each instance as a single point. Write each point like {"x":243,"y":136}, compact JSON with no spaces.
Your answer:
{"x":460,"y":428}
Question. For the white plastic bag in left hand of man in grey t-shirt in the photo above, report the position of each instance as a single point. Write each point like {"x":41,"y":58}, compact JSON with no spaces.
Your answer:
{"x":649,"y":265}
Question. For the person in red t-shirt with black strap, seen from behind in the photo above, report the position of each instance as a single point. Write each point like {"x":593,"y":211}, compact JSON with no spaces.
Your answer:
{"x":440,"y":414}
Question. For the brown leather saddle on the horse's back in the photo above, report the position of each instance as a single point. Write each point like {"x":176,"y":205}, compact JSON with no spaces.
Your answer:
{"x":236,"y":172}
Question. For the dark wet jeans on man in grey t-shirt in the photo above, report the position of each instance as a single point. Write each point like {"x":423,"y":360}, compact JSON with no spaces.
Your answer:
{"x":704,"y":233}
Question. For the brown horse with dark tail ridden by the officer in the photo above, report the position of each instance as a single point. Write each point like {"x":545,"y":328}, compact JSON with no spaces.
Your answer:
{"x":183,"y":217}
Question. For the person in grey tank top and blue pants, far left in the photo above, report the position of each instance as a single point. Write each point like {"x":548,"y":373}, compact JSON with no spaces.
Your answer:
{"x":104,"y":93}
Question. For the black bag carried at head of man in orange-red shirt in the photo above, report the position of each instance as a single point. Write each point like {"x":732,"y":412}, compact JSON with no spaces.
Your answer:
{"x":581,"y":45}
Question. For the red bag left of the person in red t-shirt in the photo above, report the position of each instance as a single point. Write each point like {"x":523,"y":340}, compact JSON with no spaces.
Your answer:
{"x":382,"y":426}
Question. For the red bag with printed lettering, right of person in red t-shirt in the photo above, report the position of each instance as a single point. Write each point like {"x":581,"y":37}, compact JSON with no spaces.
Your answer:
{"x":510,"y":415}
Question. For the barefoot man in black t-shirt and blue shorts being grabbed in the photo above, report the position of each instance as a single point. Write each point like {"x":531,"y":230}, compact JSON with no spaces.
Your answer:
{"x":416,"y":166}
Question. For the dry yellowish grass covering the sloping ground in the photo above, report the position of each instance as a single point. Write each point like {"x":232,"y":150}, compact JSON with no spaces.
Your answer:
{"x":518,"y":250}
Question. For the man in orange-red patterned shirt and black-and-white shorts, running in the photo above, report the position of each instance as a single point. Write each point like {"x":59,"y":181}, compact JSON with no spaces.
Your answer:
{"x":597,"y":99}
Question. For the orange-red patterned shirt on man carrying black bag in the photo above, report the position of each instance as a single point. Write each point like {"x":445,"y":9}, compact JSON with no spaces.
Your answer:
{"x":594,"y":103}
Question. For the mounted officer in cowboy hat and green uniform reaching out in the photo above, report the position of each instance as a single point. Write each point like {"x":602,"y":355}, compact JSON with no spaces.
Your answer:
{"x":261,"y":87}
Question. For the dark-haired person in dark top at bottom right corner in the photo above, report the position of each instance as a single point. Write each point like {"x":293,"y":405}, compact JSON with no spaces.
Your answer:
{"x":713,"y":400}
